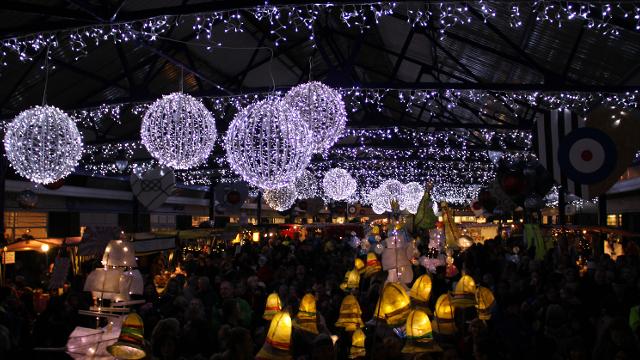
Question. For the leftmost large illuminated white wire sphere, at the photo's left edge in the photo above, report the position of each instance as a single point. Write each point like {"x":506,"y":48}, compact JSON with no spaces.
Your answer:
{"x":43,"y":144}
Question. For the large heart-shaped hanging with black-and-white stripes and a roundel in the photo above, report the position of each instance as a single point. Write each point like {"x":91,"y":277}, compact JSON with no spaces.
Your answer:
{"x":586,"y":156}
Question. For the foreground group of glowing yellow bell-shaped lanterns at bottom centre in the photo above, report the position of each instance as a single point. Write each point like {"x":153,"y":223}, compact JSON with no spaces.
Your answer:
{"x":394,"y":307}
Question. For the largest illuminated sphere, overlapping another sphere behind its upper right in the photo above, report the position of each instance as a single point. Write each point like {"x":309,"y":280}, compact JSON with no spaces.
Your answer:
{"x":267,"y":144}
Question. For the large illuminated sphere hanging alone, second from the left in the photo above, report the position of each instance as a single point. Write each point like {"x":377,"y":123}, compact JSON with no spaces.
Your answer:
{"x":178,"y":131}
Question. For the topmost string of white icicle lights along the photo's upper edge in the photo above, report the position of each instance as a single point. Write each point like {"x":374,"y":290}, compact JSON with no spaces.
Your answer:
{"x":283,"y":21}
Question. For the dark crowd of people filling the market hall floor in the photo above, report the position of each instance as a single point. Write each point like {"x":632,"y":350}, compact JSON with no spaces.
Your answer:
{"x":545,"y":309}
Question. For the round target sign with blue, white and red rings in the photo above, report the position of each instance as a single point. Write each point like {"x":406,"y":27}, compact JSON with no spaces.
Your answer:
{"x":587,"y":155}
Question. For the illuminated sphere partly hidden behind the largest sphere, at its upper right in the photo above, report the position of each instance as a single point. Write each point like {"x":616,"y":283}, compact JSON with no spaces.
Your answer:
{"x":322,"y":108}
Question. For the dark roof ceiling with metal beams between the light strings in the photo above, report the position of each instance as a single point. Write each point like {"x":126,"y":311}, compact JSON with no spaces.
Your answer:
{"x":489,"y":56}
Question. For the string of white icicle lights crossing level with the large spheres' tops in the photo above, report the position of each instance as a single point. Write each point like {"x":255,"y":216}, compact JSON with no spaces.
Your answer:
{"x":412,"y":101}
